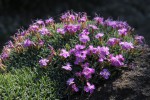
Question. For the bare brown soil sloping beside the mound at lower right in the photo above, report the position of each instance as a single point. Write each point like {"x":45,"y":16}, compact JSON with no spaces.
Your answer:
{"x":131,"y":85}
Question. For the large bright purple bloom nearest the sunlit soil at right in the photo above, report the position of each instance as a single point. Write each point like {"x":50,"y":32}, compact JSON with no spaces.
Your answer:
{"x":117,"y":60}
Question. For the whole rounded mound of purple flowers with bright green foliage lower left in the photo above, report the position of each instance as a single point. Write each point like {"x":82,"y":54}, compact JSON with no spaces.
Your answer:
{"x":53,"y":61}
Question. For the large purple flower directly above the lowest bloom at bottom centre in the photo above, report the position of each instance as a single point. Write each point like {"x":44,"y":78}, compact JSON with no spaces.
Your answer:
{"x":87,"y":72}
